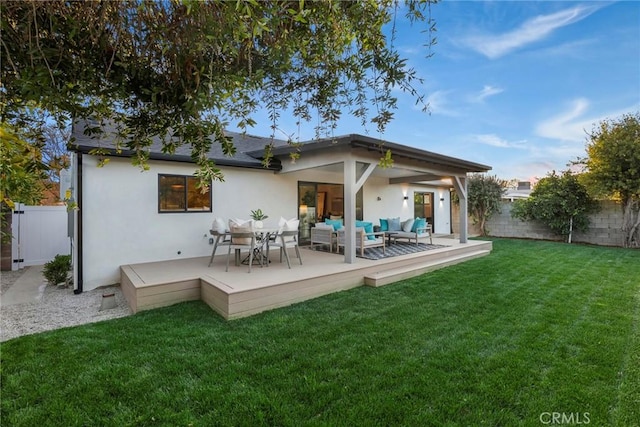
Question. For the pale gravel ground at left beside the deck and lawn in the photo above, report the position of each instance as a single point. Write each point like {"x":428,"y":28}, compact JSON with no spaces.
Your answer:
{"x":58,"y":308}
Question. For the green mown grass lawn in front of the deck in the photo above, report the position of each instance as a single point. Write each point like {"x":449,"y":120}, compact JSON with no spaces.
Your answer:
{"x":534,"y":328}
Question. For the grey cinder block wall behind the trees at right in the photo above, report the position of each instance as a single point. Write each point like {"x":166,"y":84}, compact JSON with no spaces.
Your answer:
{"x":604,"y":230}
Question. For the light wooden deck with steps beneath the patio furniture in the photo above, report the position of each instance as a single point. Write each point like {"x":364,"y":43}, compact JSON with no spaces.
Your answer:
{"x":237,"y":293}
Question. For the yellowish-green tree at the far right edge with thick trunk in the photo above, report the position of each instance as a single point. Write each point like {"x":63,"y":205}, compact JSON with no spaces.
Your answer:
{"x":613,"y":169}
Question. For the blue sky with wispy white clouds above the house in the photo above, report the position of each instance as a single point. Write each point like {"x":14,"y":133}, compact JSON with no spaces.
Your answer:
{"x":515,"y":84}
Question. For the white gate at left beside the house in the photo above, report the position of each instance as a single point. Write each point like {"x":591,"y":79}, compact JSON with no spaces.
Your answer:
{"x":39,"y":234}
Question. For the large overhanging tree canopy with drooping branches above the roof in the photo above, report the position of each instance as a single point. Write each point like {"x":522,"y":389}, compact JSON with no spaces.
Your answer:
{"x":182,"y":70}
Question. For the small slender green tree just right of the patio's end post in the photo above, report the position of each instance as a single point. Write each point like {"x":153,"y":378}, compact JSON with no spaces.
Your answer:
{"x":484,"y":195}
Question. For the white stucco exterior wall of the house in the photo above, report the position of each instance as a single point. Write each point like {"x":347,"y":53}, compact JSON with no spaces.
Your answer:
{"x":121,"y":223}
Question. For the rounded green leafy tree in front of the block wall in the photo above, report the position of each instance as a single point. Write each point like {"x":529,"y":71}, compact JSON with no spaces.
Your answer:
{"x":560,"y":202}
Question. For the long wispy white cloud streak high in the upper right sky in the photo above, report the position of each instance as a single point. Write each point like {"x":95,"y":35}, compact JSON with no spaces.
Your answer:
{"x":496,"y":45}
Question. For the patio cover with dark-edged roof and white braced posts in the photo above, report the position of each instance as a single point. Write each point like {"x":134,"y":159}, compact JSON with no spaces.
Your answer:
{"x":354,"y":159}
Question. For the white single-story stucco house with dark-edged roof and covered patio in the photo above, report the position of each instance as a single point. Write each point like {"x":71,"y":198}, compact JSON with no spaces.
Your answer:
{"x":126,"y":215}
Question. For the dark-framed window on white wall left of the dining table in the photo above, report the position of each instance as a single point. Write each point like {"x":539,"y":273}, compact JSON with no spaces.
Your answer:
{"x":179,"y":193}
